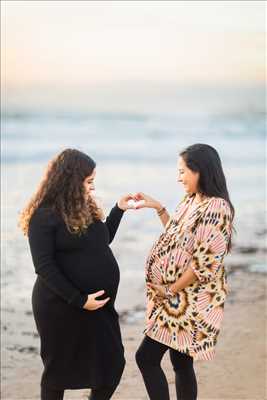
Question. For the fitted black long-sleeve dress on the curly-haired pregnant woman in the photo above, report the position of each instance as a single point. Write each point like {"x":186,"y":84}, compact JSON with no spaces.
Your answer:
{"x":79,"y":348}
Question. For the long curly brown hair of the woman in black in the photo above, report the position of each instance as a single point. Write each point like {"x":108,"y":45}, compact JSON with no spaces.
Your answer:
{"x":62,"y":190}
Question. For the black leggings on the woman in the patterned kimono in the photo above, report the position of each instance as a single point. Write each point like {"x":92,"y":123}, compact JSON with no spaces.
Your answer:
{"x":148,"y":358}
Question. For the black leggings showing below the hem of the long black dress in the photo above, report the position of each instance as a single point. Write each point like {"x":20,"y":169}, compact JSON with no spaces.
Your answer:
{"x":104,"y":393}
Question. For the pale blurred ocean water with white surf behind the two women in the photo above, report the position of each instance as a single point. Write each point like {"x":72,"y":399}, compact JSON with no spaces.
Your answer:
{"x":134,"y":152}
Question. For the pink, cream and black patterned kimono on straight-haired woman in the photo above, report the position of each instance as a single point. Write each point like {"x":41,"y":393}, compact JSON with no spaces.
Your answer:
{"x":190,"y":321}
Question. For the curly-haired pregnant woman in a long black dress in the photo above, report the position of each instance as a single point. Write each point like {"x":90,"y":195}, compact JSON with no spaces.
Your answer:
{"x":77,"y":280}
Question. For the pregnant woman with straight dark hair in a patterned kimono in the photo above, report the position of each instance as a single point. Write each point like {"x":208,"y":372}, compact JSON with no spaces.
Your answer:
{"x":185,"y":275}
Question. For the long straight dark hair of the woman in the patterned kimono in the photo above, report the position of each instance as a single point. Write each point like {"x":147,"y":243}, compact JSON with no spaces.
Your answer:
{"x":204,"y":159}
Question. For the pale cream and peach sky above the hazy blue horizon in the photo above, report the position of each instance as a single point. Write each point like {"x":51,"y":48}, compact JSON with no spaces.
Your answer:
{"x":70,"y":43}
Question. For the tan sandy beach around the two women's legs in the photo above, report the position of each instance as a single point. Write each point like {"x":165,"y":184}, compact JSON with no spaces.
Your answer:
{"x":237,"y":373}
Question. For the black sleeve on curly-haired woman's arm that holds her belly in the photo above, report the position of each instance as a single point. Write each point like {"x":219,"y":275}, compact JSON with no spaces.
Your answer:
{"x":42,"y":245}
